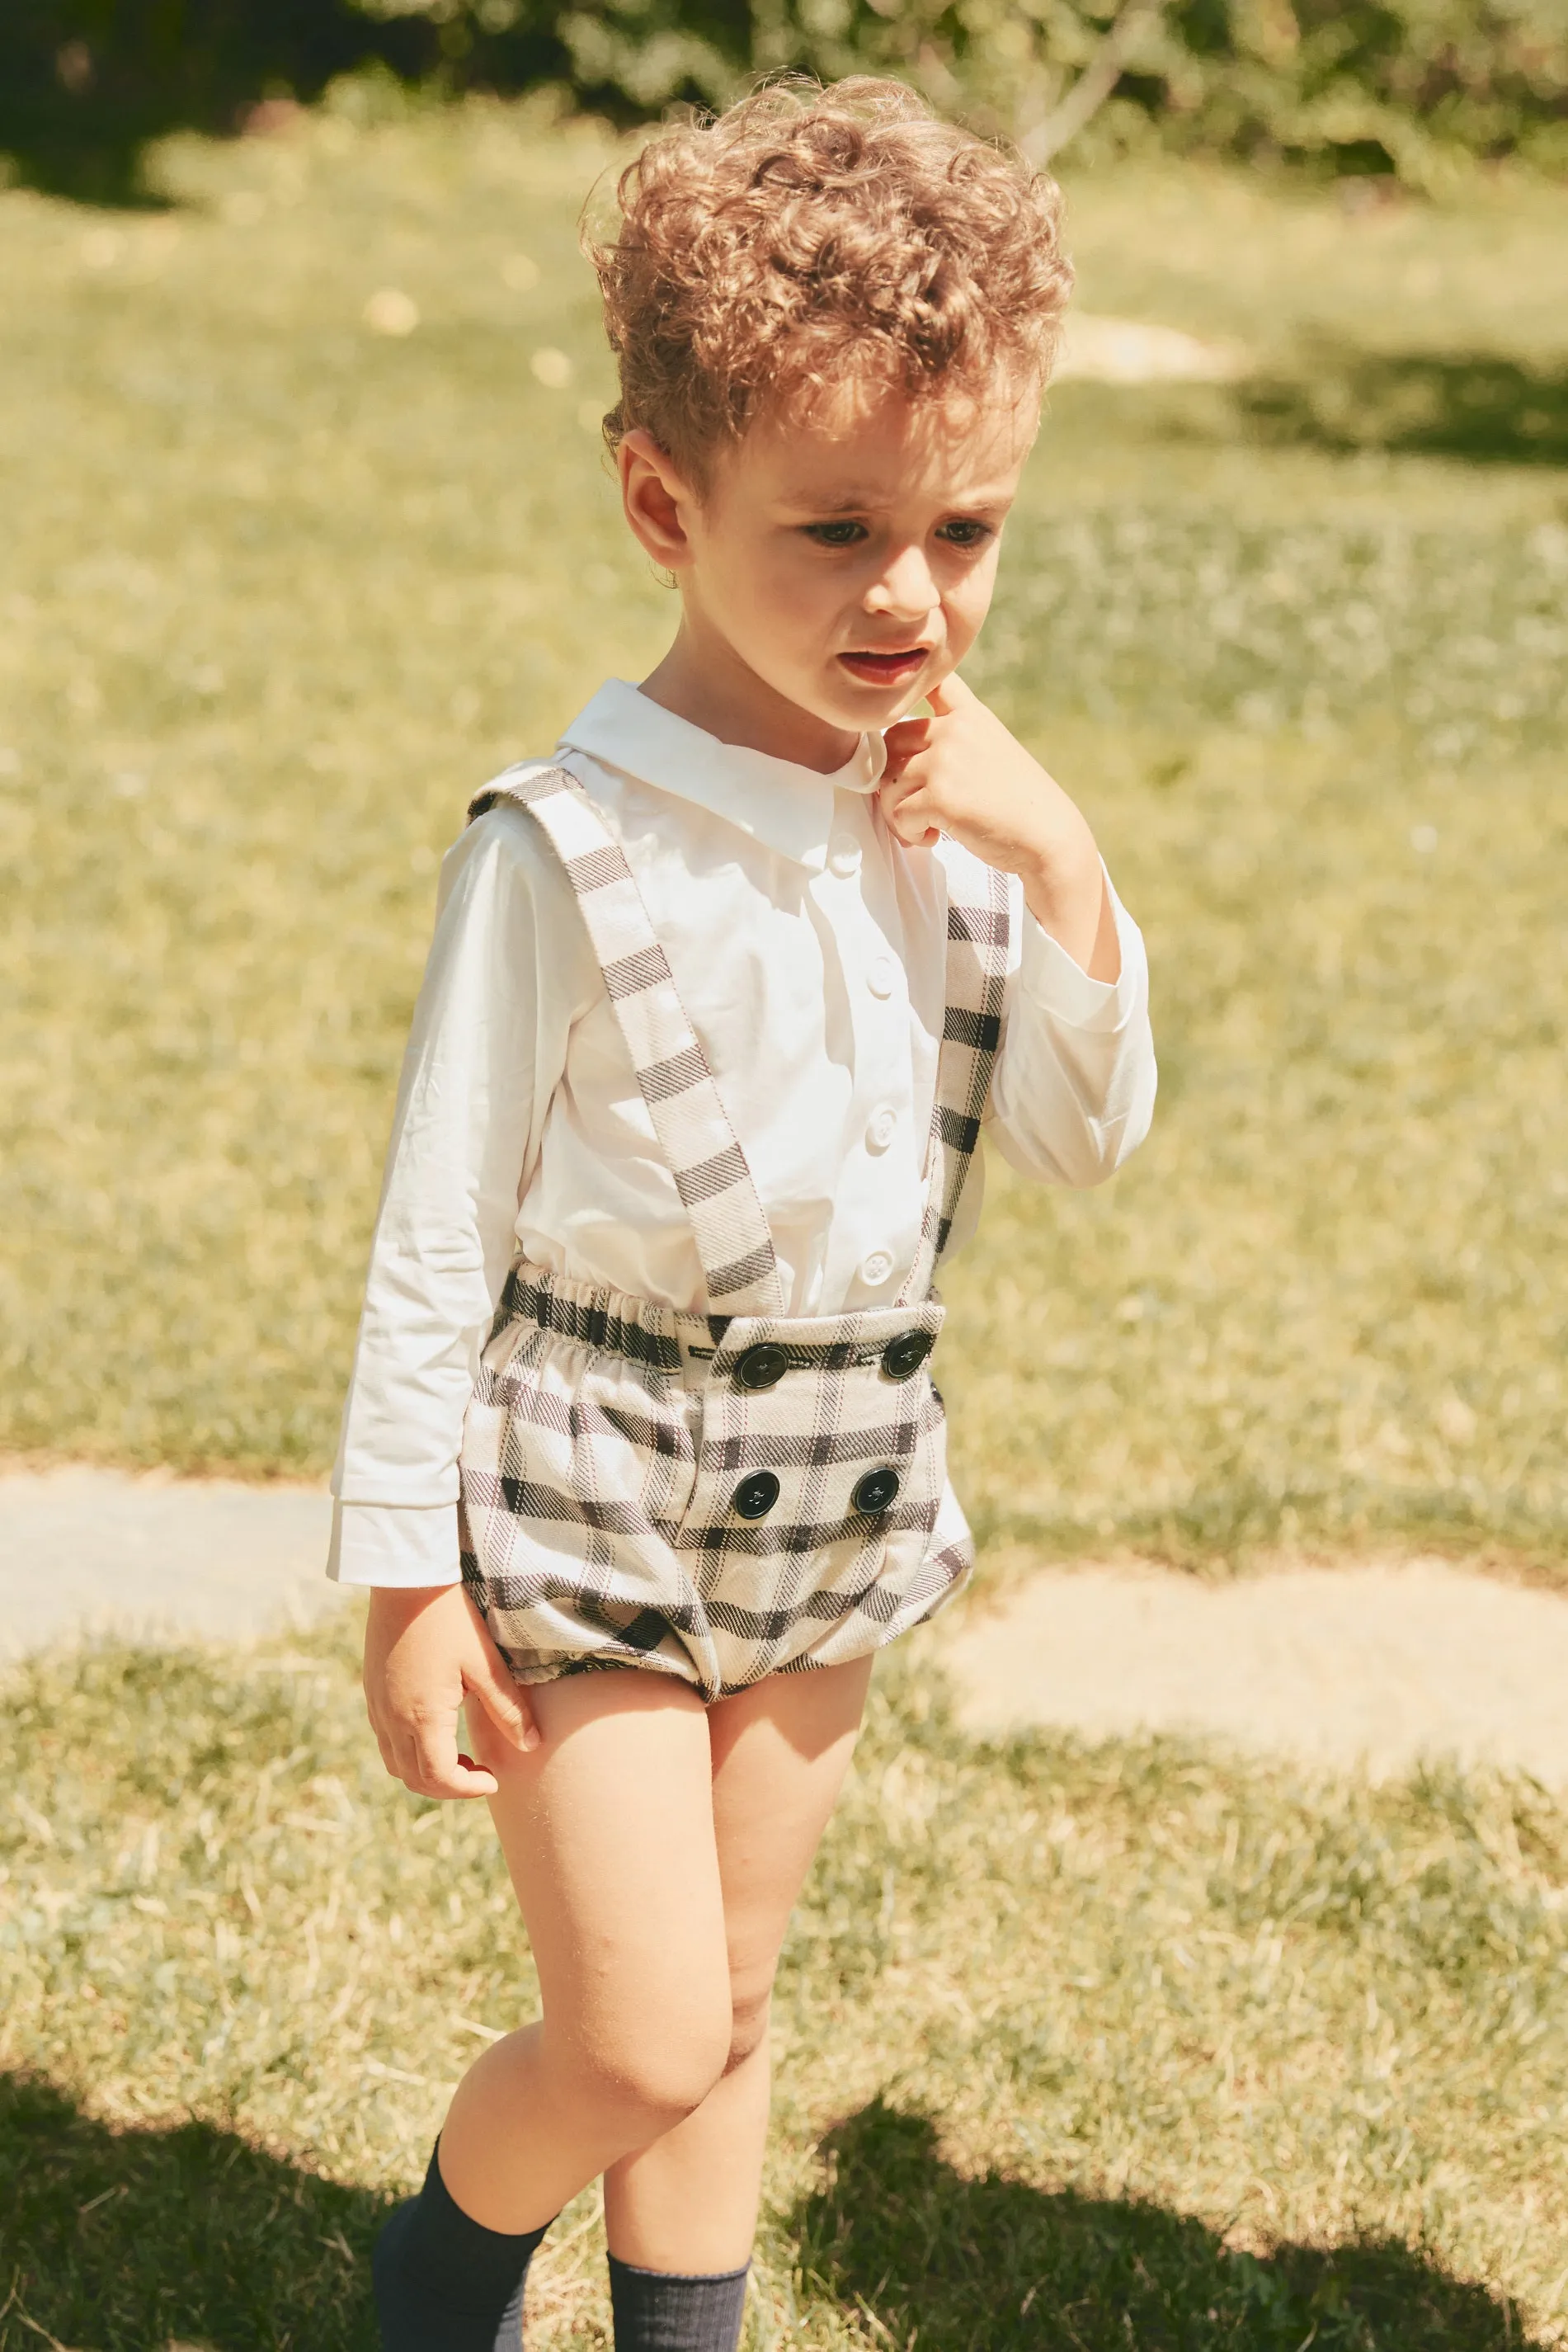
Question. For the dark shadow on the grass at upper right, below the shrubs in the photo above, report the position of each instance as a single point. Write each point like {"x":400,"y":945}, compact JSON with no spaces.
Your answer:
{"x":1468,"y":406}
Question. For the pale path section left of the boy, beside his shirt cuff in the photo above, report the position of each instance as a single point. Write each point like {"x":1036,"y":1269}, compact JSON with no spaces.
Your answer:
{"x":105,"y":1551}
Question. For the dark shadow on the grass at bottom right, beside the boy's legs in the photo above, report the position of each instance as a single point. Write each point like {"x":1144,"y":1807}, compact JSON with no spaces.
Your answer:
{"x":996,"y":2266}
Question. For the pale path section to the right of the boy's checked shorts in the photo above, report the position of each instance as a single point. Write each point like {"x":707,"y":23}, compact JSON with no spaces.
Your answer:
{"x":1372,"y":1666}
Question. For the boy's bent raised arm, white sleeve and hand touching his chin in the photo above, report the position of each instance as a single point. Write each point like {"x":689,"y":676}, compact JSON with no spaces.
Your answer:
{"x":1076,"y":1081}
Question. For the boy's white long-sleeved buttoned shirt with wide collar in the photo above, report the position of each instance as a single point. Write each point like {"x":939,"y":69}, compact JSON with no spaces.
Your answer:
{"x":810,"y":951}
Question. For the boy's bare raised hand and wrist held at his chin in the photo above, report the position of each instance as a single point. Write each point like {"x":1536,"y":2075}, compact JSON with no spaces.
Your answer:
{"x":963,"y":773}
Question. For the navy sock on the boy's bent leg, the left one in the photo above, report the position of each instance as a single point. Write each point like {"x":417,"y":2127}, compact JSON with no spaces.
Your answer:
{"x":445,"y":2283}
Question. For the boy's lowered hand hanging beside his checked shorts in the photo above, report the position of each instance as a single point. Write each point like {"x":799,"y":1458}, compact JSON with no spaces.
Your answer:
{"x":424,"y":1655}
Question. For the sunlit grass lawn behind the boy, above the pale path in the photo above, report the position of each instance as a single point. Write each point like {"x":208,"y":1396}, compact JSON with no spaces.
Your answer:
{"x":279,"y":589}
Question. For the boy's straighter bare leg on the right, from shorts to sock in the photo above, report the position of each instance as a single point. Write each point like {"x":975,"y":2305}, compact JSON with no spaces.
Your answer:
{"x":688,"y":2200}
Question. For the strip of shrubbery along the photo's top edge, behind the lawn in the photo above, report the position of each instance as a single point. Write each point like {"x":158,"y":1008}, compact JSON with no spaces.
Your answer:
{"x":1355,"y":86}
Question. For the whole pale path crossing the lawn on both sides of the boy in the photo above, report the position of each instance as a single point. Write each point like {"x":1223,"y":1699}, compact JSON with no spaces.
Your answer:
{"x":1372,"y":1666}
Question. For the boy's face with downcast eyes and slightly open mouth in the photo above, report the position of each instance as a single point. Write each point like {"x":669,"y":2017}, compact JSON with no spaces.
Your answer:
{"x":845,"y":559}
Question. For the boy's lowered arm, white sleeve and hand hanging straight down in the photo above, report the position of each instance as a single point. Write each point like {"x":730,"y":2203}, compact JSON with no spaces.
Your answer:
{"x":507,"y":975}
